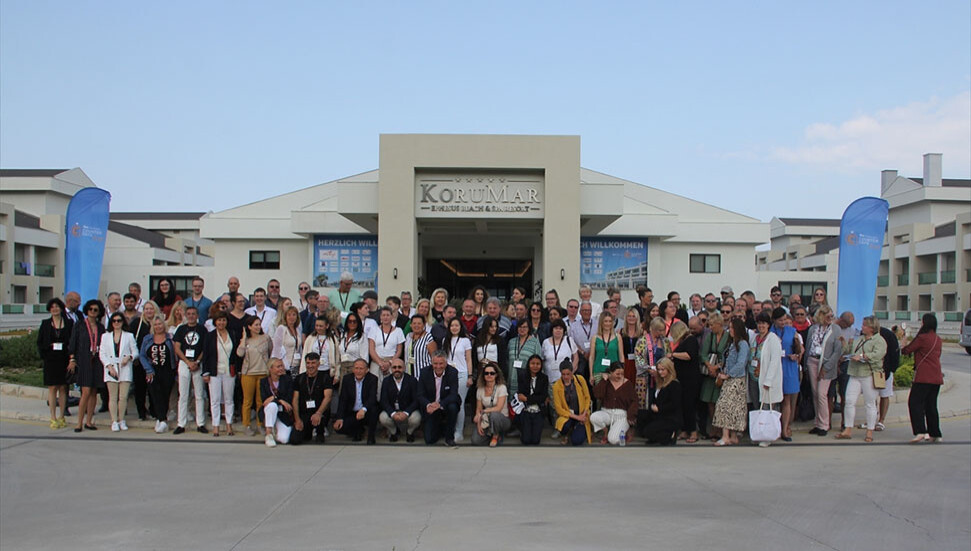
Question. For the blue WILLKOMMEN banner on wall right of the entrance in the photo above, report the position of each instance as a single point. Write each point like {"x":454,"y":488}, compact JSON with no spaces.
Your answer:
{"x":613,"y":262}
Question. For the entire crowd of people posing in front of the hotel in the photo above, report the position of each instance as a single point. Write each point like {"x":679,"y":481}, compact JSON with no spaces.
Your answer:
{"x":292,"y":370}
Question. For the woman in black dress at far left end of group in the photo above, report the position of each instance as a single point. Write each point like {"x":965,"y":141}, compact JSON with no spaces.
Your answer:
{"x":53,"y":339}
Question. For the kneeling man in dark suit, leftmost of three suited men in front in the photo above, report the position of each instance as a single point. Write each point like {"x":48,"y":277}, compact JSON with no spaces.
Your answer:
{"x":358,"y":403}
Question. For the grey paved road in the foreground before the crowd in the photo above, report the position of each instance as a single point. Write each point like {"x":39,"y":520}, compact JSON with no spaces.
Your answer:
{"x":100,"y":490}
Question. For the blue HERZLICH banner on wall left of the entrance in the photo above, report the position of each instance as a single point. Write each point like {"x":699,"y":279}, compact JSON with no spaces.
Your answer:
{"x":335,"y":254}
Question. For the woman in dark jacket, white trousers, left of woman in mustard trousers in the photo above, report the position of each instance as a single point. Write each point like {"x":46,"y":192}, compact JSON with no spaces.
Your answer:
{"x":220,"y":364}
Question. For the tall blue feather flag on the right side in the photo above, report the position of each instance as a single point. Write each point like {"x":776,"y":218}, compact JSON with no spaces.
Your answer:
{"x":862,"y":230}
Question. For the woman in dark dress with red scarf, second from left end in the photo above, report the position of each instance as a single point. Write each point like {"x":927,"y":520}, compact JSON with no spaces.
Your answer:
{"x":86,"y":363}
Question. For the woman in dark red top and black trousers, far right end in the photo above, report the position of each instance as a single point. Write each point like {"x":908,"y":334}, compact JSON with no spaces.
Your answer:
{"x":926,"y":348}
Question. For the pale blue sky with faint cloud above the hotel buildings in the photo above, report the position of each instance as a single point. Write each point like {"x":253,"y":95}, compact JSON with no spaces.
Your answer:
{"x":768,"y":109}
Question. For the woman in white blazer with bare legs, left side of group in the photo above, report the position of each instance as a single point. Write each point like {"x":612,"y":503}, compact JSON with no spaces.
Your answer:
{"x":117,"y":351}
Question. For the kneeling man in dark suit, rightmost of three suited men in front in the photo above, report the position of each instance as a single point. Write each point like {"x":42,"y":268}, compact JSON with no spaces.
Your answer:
{"x":438,"y":399}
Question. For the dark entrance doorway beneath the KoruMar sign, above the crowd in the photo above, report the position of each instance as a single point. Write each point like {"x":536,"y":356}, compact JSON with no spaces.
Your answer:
{"x":459,"y":276}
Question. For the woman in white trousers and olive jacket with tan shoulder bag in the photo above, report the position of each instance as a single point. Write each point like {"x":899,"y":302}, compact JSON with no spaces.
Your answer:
{"x":866,"y":358}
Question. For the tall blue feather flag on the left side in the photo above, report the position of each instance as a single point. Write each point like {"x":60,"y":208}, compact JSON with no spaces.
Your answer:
{"x":84,"y":249}
